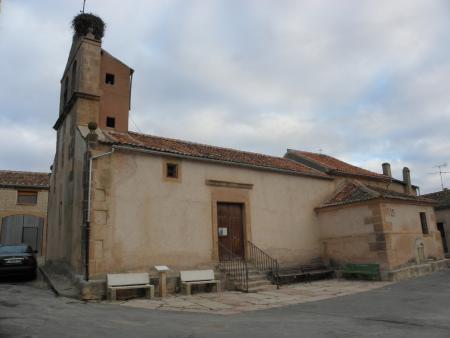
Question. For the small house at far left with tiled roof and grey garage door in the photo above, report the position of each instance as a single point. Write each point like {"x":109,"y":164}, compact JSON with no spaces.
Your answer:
{"x":23,"y":208}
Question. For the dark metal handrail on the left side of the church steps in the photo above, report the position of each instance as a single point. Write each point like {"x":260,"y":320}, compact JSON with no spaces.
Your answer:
{"x":234,"y":266}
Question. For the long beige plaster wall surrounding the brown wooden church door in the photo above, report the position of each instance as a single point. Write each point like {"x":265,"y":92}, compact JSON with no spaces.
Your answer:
{"x":140,"y":219}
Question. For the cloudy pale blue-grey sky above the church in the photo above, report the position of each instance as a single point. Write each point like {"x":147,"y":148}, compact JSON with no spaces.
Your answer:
{"x":365,"y":81}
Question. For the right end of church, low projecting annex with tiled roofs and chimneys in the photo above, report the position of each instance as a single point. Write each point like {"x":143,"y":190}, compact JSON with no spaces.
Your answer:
{"x":373,"y":217}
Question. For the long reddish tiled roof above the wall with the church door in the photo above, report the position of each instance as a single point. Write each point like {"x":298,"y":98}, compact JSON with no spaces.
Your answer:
{"x":206,"y":152}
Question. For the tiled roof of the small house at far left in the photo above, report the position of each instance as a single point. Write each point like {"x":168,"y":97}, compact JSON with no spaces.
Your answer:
{"x":24,"y":179}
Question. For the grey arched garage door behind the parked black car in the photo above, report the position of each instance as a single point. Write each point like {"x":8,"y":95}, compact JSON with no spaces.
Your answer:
{"x":27,"y":229}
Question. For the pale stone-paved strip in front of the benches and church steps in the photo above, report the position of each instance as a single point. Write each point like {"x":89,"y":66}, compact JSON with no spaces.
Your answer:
{"x":233,"y":302}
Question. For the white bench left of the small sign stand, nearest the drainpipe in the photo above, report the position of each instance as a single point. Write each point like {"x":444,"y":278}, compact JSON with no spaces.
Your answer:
{"x":122,"y":281}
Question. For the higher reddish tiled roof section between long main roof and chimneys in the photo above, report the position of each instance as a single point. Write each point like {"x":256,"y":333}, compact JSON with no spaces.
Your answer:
{"x":333,"y":165}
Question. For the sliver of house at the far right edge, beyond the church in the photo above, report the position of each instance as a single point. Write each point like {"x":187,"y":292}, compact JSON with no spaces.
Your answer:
{"x":442,"y":211}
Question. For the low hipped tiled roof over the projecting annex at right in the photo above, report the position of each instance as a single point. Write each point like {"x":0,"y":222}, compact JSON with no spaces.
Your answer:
{"x":355,"y":191}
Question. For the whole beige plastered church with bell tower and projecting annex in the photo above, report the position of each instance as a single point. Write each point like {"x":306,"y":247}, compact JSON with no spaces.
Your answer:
{"x":123,"y":201}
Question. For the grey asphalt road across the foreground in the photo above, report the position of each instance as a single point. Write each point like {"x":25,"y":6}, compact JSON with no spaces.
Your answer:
{"x":416,"y":308}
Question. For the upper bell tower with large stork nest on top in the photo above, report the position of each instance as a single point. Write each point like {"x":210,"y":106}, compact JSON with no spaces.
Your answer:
{"x":95,"y":86}
